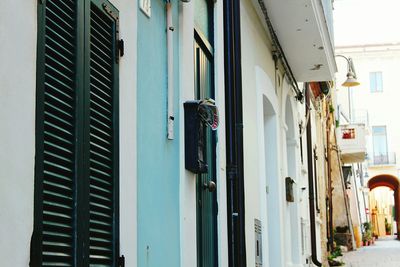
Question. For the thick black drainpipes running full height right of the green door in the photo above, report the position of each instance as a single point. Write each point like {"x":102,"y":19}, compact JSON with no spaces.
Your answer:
{"x":234,"y":135}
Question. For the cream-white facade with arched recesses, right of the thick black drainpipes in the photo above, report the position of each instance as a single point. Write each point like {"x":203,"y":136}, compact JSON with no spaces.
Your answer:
{"x":264,"y":98}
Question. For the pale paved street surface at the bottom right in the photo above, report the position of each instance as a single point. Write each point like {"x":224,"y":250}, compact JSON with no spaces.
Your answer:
{"x":384,"y":253}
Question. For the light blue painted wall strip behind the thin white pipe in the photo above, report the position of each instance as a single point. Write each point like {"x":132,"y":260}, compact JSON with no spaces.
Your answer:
{"x":157,"y":157}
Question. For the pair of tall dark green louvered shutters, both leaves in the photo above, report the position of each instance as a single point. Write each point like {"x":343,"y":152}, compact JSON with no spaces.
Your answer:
{"x":76,"y":168}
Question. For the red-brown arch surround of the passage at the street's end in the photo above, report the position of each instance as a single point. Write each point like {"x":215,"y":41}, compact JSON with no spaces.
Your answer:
{"x":393,"y":183}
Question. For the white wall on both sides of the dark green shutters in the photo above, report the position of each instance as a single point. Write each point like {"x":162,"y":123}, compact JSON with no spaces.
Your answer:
{"x":18,"y":34}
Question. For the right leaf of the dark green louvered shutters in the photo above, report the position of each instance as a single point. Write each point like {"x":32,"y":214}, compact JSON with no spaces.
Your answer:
{"x":103,"y":136}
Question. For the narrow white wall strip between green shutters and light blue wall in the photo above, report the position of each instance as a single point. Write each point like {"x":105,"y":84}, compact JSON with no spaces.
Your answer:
{"x":128,"y":155}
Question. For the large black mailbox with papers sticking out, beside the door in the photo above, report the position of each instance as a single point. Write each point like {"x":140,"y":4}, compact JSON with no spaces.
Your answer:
{"x":199,"y":114}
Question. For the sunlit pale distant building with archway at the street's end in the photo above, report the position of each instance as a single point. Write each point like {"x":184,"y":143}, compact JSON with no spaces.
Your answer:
{"x":374,"y":103}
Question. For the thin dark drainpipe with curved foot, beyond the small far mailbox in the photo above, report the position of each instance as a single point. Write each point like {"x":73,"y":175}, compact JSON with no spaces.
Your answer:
{"x":311,"y":183}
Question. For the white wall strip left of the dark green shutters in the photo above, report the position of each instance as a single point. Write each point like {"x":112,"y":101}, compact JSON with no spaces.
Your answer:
{"x":17,"y":139}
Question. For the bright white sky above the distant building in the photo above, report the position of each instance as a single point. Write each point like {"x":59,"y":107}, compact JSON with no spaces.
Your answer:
{"x":366,"y":22}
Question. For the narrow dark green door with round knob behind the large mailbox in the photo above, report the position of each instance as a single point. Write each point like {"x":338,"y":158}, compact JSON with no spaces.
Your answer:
{"x":207,"y":245}
